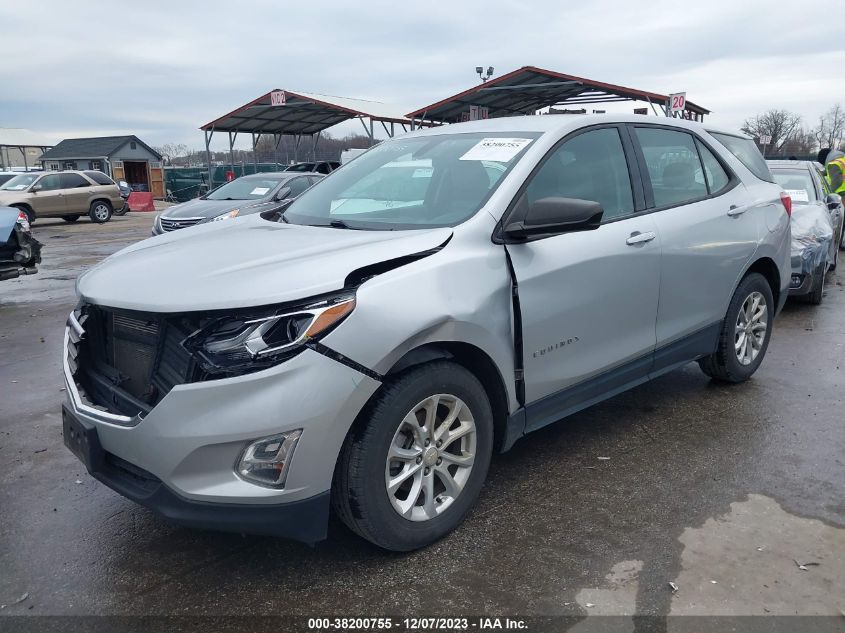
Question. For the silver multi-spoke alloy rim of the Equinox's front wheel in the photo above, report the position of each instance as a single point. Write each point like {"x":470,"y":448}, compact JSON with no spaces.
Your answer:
{"x":430,"y":457}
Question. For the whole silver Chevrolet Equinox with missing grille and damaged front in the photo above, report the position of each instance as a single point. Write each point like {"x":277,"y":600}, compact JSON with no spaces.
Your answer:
{"x":250,"y":376}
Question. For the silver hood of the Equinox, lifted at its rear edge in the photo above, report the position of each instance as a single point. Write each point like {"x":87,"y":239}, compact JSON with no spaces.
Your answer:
{"x":242,"y":263}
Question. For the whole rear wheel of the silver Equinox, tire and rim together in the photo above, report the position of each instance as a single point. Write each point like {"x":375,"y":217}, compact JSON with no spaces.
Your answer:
{"x":724,"y":364}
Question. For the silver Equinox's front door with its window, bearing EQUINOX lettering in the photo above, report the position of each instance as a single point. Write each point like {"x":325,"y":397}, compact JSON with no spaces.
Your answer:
{"x":588,"y":299}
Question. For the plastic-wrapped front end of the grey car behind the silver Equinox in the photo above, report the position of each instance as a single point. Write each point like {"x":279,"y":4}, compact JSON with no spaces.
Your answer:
{"x":812,"y":234}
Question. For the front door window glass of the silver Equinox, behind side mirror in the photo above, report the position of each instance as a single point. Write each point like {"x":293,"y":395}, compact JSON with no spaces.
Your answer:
{"x":591,"y":166}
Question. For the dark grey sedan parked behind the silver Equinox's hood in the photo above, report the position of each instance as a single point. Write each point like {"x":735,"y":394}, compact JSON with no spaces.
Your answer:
{"x":242,"y":196}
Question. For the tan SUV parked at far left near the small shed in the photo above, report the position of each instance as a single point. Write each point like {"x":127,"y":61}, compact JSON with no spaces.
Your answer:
{"x":61,"y":194}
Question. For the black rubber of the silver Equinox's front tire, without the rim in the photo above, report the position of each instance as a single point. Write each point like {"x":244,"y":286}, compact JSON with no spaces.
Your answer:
{"x":359,"y":494}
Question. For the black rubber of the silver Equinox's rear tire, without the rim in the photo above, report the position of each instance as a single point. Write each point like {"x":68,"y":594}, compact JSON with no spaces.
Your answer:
{"x":723,"y":364}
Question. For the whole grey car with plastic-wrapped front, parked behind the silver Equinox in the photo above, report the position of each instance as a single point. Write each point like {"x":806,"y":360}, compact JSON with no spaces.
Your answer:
{"x":817,"y":225}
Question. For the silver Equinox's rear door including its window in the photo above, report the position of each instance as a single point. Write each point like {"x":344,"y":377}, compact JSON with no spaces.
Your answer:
{"x":708,"y":231}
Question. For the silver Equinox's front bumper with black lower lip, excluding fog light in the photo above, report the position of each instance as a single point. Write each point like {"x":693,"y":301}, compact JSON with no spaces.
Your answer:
{"x":187,"y":447}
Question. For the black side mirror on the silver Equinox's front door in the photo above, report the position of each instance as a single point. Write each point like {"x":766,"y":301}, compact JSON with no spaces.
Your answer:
{"x":551,"y":216}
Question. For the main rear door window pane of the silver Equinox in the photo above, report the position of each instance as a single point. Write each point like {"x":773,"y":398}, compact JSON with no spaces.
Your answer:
{"x":674,"y":168}
